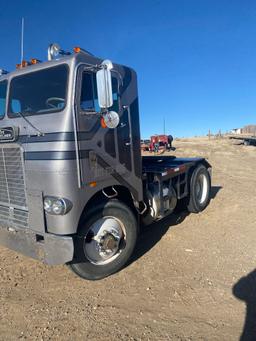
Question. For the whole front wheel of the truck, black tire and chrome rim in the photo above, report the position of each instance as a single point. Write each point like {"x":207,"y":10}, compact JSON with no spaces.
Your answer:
{"x":113,"y":244}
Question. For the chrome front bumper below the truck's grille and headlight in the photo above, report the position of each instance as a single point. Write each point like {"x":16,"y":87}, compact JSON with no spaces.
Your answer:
{"x":48,"y":248}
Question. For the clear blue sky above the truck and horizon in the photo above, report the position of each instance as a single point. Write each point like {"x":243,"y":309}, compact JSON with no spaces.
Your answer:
{"x":195,"y":59}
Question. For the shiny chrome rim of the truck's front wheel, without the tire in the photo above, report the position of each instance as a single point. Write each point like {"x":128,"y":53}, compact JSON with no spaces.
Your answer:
{"x":104,"y":240}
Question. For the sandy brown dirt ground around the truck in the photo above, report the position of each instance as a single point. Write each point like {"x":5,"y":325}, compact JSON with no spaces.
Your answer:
{"x":193,"y":276}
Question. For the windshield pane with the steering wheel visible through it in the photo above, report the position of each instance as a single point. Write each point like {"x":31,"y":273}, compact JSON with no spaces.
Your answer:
{"x":39,"y":92}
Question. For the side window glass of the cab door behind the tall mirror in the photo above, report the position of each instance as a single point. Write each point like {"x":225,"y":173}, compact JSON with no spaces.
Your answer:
{"x":89,"y":97}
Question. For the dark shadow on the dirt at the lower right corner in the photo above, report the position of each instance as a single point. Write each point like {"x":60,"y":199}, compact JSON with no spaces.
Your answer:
{"x":245,"y":290}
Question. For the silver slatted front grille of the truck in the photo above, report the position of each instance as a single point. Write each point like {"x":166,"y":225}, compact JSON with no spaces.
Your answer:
{"x":13,"y":203}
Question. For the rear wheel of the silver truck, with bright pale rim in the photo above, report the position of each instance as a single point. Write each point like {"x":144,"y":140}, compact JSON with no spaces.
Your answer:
{"x":200,"y":186}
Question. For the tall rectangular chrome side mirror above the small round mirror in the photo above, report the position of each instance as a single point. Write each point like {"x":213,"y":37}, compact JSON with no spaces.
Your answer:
{"x":104,"y":85}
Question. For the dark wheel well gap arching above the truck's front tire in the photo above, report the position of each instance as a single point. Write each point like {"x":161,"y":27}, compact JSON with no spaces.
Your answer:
{"x":123,"y":195}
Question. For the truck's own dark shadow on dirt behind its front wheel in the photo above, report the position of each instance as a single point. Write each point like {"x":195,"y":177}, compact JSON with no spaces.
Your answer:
{"x":150,"y":235}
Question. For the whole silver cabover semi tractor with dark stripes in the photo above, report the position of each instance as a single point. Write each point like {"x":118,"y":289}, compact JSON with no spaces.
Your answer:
{"x":74,"y":187}
